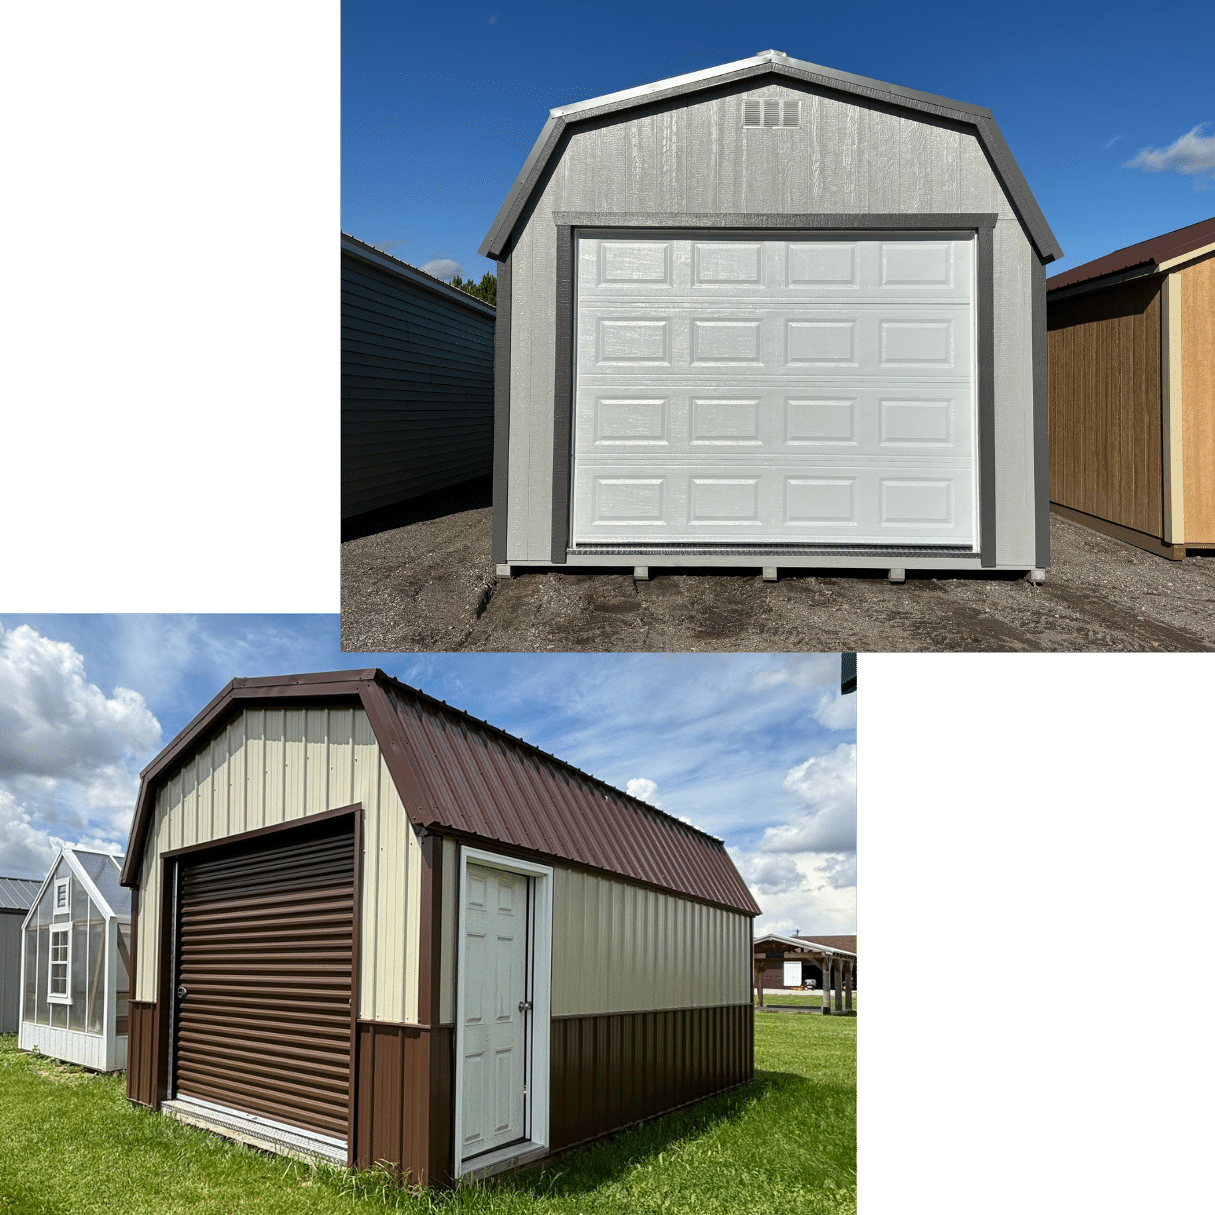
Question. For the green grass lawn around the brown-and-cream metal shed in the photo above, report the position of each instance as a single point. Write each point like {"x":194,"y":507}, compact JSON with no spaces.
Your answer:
{"x":72,"y":1145}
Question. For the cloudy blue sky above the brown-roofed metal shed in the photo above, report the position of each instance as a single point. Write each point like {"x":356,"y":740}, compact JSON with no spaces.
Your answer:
{"x":760,"y":750}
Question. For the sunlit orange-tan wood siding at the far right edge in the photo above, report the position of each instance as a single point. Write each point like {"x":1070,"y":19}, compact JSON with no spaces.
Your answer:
{"x":1197,"y":285}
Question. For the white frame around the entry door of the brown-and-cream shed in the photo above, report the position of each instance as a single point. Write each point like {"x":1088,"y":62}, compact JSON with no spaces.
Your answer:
{"x":536,"y":1035}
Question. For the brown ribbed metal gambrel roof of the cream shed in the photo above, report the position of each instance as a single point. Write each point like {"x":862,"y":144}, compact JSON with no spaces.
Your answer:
{"x":456,"y":773}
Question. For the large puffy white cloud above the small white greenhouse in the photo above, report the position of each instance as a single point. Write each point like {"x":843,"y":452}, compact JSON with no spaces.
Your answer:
{"x":69,"y":753}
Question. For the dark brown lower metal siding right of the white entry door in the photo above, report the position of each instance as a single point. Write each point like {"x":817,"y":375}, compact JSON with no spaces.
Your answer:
{"x":611,"y":1071}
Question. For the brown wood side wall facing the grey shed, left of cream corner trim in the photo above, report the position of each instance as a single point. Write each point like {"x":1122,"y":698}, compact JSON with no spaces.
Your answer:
{"x":1104,"y":355}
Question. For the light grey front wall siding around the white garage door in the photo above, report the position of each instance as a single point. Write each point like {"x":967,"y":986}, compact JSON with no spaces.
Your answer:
{"x":697,"y":159}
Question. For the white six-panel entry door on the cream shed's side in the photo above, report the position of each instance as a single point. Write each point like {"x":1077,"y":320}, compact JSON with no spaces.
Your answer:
{"x":493,"y":1041}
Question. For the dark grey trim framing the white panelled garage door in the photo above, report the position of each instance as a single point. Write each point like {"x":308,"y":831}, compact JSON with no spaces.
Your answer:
{"x":570,"y":225}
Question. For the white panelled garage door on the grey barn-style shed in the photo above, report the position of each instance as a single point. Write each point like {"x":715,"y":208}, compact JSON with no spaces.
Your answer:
{"x":742,"y":392}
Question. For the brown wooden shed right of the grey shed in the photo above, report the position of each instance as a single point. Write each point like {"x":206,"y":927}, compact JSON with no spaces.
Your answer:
{"x":1132,"y":375}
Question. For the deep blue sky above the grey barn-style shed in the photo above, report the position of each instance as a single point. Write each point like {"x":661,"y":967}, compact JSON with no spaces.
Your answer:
{"x":442,"y":103}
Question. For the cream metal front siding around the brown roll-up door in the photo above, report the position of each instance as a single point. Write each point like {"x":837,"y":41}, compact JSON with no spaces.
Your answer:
{"x":270,"y":766}
